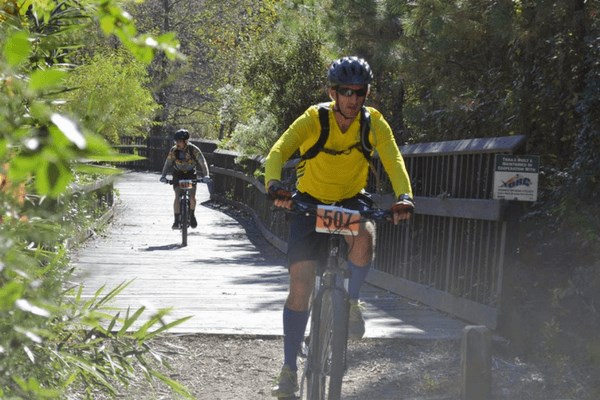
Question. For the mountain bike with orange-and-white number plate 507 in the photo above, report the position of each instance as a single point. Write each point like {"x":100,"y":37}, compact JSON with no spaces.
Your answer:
{"x":328,"y":337}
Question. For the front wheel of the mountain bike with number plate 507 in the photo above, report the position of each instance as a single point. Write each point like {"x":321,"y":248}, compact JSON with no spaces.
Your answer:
{"x":327,"y":353}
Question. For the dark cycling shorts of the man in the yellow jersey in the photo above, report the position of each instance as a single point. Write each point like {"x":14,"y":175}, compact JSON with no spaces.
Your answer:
{"x":304,"y":243}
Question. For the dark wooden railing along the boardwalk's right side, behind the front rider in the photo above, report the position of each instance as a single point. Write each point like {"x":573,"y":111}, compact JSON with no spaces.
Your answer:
{"x":450,"y":256}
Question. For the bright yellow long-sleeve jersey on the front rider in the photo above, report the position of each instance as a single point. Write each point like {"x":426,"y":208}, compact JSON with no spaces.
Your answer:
{"x":328,"y":177}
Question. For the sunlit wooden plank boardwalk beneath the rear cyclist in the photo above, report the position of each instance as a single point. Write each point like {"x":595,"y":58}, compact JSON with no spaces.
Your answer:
{"x":227,"y":278}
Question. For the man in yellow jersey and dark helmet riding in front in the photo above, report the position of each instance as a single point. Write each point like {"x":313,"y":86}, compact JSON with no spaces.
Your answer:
{"x":336,"y":174}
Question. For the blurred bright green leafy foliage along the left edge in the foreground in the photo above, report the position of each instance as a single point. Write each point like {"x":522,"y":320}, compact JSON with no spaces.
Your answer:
{"x":52,"y":340}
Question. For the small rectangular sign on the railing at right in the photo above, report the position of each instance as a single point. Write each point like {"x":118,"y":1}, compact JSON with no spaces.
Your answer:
{"x":516,"y":177}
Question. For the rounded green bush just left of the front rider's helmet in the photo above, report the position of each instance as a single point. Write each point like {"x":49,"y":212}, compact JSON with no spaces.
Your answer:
{"x":281,"y":85}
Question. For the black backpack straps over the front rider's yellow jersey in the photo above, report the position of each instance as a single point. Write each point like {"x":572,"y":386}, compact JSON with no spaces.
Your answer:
{"x":364,"y":145}
